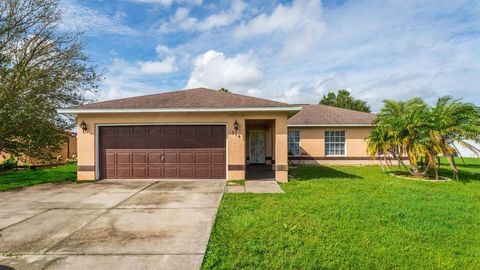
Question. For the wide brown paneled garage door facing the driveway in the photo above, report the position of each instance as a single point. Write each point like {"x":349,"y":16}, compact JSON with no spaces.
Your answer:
{"x":171,"y":152}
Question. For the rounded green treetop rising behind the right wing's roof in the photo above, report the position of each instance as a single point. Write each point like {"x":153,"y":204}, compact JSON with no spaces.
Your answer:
{"x":343,"y":99}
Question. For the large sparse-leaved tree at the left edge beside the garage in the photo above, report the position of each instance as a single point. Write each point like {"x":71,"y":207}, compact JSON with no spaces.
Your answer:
{"x":41,"y":69}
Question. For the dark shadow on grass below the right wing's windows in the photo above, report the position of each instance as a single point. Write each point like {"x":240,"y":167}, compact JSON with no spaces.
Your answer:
{"x":302,"y":173}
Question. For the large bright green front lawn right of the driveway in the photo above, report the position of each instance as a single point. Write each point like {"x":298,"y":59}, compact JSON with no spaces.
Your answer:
{"x":351,"y":218}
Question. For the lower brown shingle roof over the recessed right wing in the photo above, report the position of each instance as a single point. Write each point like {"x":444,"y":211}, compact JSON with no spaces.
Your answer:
{"x":328,"y":115}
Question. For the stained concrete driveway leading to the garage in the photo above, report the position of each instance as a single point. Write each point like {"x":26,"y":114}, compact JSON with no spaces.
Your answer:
{"x":108,"y":225}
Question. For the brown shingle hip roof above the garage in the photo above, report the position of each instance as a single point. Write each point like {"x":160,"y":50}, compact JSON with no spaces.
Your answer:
{"x":185,"y":99}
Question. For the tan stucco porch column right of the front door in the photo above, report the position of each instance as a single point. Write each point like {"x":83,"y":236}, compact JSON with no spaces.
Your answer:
{"x":281,"y":153}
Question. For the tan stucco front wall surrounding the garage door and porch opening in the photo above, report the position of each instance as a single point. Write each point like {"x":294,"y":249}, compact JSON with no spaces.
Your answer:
{"x":235,"y":141}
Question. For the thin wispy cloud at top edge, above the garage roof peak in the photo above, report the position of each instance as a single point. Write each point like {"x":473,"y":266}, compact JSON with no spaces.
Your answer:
{"x":181,"y":20}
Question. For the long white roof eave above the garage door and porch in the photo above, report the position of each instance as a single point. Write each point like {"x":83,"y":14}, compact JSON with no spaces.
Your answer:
{"x":178,"y":110}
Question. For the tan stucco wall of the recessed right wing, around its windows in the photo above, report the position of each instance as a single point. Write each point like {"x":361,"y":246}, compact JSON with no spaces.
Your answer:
{"x":312,"y":145}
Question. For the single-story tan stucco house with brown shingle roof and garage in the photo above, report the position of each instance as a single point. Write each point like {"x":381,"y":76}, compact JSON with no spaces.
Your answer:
{"x":208,"y":134}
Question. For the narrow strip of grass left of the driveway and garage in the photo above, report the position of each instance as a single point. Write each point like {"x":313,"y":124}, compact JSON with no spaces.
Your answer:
{"x":17,"y":179}
